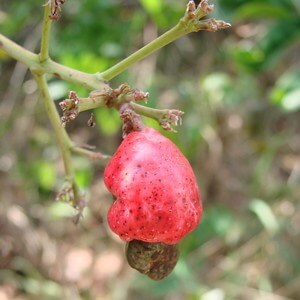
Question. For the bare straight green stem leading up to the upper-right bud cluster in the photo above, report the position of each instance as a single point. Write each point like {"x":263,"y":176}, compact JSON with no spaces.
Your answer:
{"x":166,"y":38}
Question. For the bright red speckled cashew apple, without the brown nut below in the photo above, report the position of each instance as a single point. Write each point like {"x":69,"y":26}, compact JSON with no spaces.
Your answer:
{"x":157,"y":196}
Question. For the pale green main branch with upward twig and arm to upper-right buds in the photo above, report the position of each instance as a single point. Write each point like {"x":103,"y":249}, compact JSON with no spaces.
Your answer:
{"x":189,"y":23}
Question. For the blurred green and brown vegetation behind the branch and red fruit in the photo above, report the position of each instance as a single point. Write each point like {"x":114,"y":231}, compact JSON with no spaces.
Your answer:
{"x":240,"y":90}
